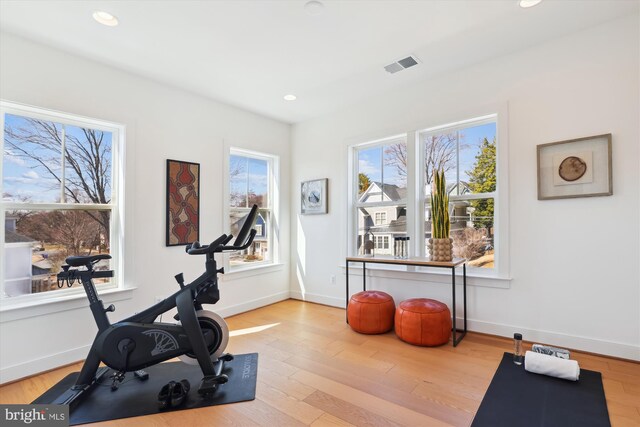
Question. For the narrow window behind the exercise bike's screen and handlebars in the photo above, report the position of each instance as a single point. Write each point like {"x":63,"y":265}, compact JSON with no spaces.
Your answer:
{"x":252,"y":181}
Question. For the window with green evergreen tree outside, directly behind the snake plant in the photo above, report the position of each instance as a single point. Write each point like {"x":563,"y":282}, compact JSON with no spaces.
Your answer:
{"x":467,"y":154}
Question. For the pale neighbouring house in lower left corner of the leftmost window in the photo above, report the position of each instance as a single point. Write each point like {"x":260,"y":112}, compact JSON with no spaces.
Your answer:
{"x":18,"y":269}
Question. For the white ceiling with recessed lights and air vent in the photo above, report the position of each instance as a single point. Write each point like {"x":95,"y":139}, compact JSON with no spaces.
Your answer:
{"x":251,"y":53}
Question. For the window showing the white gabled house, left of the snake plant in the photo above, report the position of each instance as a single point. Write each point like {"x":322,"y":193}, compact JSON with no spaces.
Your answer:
{"x":380,"y":192}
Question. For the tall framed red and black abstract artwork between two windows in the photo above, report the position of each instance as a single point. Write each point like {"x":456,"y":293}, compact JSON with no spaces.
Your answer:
{"x":183,"y":202}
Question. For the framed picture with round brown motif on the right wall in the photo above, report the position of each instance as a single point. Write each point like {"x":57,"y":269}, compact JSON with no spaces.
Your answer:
{"x":575,"y":168}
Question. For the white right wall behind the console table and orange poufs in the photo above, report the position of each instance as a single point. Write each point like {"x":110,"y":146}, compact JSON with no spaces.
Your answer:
{"x":575,"y":280}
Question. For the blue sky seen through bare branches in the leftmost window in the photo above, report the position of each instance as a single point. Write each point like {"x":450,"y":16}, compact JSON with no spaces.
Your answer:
{"x":24,"y":178}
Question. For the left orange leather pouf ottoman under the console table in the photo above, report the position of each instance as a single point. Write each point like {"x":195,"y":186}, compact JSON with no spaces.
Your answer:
{"x":371,"y":312}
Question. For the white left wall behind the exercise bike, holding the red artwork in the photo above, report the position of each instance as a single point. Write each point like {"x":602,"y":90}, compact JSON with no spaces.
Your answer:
{"x":161,"y":123}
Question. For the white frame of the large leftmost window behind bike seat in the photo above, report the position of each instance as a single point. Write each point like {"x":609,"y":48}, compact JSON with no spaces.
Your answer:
{"x":116,"y":206}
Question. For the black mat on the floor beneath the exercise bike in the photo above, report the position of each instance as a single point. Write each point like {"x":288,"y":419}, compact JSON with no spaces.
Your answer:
{"x":134,"y":397}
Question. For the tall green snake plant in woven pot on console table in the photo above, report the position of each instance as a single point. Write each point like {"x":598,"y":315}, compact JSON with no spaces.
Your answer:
{"x":440,"y":244}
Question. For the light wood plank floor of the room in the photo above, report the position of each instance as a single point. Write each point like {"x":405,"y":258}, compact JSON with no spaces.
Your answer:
{"x":313,"y":370}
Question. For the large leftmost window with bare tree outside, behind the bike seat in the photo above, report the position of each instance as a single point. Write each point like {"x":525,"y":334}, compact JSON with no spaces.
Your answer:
{"x":59,"y":197}
